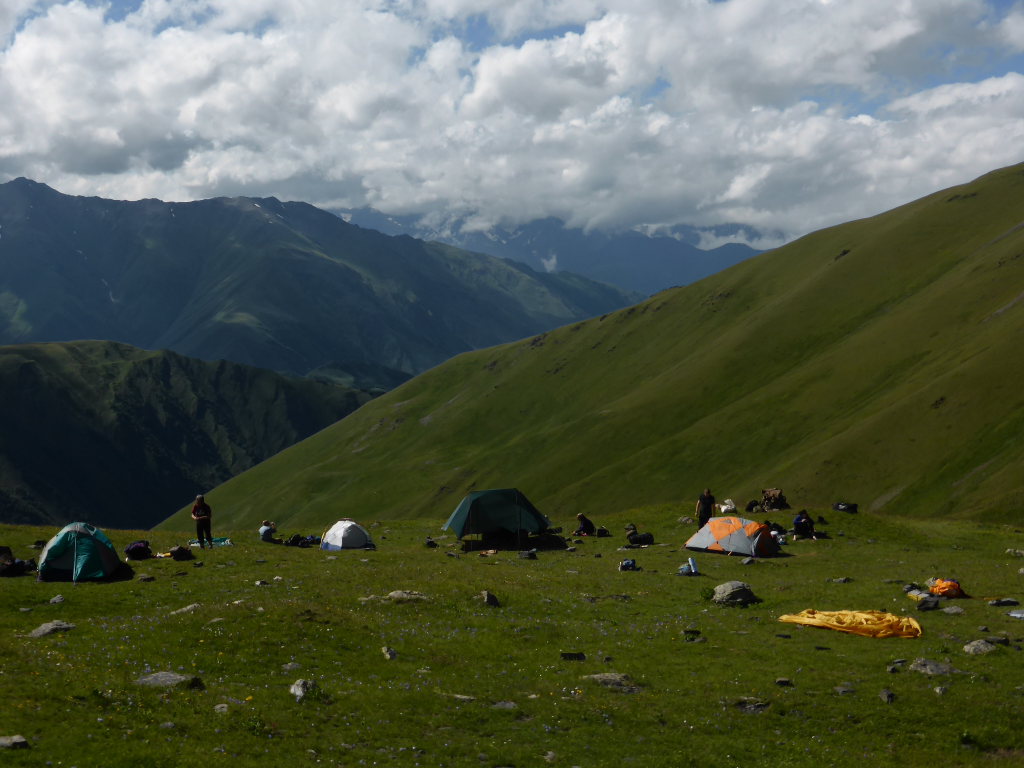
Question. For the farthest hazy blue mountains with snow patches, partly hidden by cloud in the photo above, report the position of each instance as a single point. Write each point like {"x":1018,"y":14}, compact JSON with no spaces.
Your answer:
{"x":631,"y":261}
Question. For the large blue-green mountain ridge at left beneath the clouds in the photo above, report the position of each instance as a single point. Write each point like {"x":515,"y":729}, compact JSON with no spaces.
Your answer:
{"x":282,"y":286}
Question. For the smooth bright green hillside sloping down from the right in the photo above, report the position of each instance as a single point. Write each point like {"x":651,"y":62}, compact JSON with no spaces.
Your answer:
{"x":878,"y":362}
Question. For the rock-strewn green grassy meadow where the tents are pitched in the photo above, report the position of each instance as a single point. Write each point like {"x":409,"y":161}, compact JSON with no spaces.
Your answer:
{"x":478,"y":686}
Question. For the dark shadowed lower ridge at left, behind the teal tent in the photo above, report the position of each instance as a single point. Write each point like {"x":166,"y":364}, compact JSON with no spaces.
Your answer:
{"x":114,"y":436}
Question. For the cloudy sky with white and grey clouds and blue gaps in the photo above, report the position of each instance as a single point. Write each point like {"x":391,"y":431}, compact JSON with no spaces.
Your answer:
{"x":787,"y":115}
